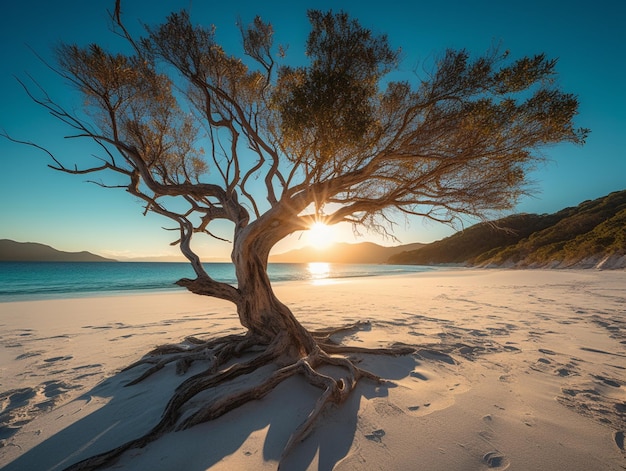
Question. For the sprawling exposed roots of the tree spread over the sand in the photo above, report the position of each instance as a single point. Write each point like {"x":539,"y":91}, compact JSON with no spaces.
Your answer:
{"x":219,"y":352}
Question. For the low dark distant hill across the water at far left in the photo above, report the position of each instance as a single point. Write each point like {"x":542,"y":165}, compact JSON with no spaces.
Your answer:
{"x":11,"y":251}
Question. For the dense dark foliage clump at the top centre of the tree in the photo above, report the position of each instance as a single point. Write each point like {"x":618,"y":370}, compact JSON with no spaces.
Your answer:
{"x":332,"y":102}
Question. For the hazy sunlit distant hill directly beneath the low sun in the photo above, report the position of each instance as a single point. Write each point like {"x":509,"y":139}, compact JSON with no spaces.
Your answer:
{"x":365,"y":252}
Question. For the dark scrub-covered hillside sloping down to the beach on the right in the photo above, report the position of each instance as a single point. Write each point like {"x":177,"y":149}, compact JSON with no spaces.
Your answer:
{"x":592,"y":234}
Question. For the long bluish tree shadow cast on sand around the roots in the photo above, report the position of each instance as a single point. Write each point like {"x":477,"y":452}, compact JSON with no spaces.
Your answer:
{"x":113,"y":414}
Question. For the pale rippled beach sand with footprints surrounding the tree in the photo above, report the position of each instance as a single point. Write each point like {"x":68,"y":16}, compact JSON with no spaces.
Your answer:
{"x":517,"y":369}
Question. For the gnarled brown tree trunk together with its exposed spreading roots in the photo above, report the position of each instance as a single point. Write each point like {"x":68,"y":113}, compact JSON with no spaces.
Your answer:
{"x":283,"y":342}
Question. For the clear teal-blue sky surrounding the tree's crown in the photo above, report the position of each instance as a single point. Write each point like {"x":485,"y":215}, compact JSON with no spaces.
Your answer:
{"x":40,"y":205}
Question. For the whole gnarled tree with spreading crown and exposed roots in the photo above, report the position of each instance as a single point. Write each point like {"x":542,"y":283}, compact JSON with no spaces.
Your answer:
{"x":332,"y":141}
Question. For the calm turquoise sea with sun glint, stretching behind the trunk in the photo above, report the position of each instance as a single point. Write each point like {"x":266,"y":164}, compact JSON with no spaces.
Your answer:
{"x":25,"y":281}
